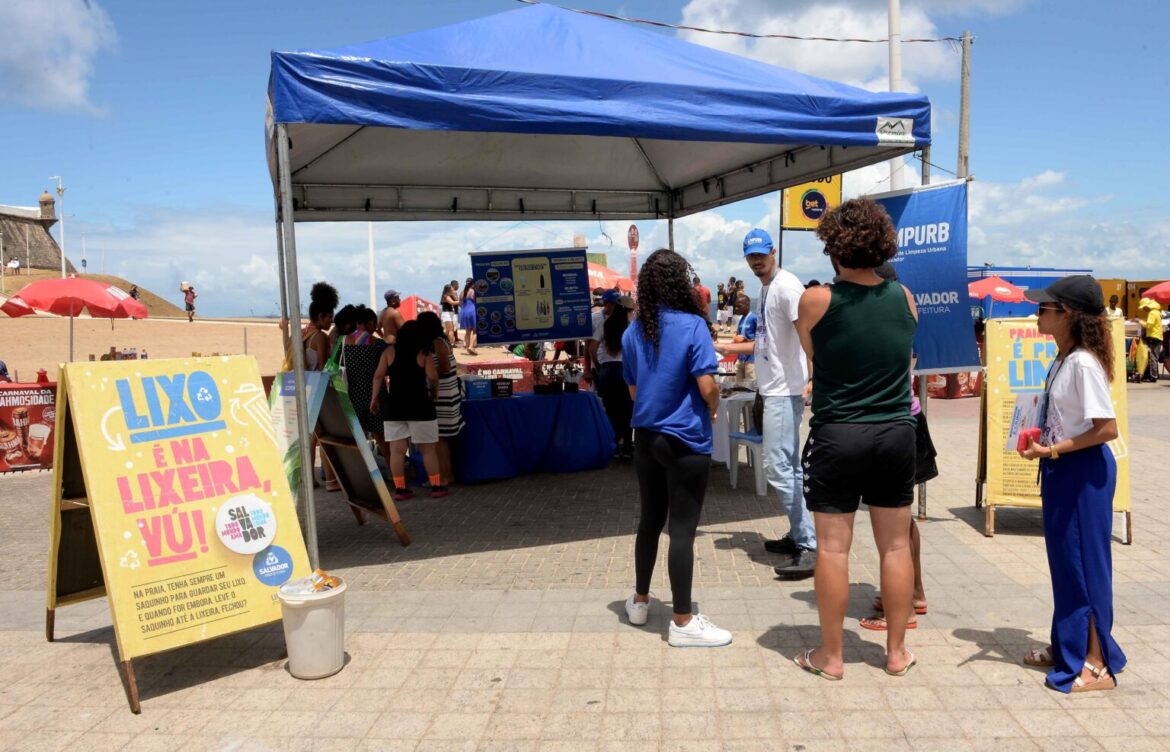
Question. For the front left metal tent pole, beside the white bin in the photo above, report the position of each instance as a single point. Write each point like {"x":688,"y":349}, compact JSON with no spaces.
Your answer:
{"x":294,"y":305}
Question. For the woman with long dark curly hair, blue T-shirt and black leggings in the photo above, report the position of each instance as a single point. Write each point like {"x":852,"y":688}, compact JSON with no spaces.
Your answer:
{"x":670,"y":364}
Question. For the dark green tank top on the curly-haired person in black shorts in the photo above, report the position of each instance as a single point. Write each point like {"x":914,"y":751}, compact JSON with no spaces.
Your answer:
{"x":862,"y":356}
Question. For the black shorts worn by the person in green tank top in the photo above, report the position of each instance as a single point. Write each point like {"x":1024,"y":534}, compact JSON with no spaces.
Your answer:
{"x":849,"y":464}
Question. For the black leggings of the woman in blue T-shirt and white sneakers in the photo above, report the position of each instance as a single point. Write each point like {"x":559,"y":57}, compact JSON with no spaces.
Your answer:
{"x":672,"y":479}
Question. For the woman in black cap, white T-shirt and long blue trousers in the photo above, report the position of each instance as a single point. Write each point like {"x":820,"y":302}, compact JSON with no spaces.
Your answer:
{"x":1078,"y":475}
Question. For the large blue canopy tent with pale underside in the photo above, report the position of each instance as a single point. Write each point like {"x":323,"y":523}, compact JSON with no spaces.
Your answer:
{"x":547,"y":114}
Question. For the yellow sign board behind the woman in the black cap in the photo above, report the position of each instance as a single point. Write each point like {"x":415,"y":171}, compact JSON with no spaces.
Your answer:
{"x":1018,"y":362}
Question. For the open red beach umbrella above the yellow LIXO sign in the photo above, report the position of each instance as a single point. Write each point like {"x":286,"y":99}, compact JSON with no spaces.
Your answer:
{"x":73,"y":296}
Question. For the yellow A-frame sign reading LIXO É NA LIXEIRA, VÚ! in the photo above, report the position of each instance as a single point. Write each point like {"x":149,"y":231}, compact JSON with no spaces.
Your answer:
{"x":194,"y":522}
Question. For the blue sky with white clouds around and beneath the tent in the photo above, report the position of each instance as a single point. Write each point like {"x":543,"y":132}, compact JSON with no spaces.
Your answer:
{"x":154,"y":115}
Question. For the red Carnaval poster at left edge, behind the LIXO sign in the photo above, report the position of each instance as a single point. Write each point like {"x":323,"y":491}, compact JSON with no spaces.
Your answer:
{"x":27,"y":416}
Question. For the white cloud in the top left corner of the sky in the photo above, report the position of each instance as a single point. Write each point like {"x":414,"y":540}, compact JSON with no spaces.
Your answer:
{"x":49,"y":51}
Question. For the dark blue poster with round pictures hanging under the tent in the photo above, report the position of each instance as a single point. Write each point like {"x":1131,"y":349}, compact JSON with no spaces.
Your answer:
{"x":532,"y":296}
